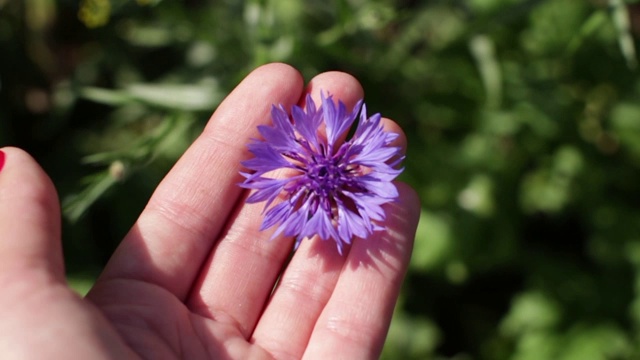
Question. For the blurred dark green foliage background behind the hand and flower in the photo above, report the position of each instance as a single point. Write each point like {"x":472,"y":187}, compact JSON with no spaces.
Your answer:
{"x":523,"y":118}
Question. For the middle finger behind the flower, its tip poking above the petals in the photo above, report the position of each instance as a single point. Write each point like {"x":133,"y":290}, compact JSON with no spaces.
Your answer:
{"x":240,"y":275}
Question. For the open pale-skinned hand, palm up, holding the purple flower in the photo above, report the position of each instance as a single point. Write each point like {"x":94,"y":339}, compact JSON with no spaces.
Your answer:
{"x":194,"y":278}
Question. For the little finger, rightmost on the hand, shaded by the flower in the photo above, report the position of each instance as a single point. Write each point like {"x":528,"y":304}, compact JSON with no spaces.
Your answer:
{"x":355,"y":321}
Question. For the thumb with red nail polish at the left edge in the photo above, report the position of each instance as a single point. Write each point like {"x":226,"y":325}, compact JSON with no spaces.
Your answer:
{"x":29,"y":221}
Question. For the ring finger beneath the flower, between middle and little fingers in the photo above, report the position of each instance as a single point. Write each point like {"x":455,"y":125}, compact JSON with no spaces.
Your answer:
{"x":303,"y":290}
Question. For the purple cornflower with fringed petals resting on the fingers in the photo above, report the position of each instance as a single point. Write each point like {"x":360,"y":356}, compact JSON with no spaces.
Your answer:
{"x":333,"y":188}
